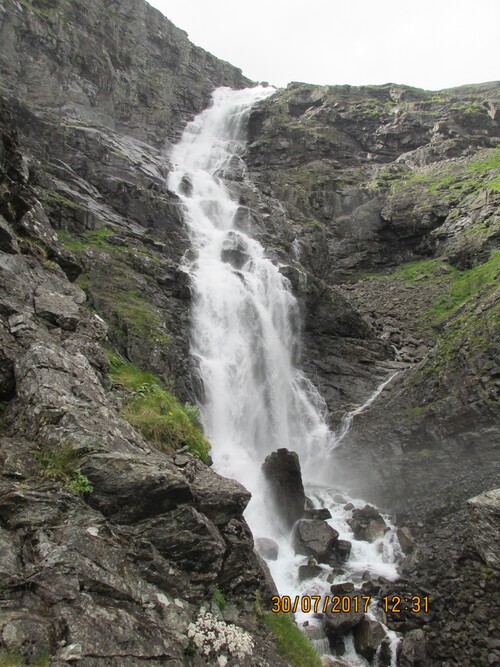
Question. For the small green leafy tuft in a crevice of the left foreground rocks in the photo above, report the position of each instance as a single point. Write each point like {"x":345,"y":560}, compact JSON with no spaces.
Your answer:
{"x":60,"y":462}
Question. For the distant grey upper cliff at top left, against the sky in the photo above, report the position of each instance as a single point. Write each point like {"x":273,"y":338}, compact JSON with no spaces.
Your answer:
{"x":122,"y":65}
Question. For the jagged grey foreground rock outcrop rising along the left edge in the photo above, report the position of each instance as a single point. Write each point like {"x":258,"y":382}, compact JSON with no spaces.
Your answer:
{"x":108,"y":544}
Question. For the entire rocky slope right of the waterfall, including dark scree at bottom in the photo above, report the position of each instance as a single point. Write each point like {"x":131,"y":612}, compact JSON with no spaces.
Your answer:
{"x":390,"y":195}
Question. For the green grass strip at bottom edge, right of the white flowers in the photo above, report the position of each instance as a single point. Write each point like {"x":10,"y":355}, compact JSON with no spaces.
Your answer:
{"x":292,"y":645}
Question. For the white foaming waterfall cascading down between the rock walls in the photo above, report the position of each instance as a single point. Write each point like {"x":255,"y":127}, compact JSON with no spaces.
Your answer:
{"x":245,"y":334}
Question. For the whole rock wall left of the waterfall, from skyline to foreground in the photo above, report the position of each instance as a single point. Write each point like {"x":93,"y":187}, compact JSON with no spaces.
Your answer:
{"x":108,"y":544}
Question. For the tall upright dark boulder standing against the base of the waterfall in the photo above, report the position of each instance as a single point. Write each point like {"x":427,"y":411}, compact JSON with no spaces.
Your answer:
{"x":282,"y":471}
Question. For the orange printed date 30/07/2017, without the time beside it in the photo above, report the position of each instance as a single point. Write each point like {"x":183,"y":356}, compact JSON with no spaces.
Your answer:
{"x":335,"y":604}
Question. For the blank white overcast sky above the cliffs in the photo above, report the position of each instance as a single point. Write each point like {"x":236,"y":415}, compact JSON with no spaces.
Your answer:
{"x":425,"y":43}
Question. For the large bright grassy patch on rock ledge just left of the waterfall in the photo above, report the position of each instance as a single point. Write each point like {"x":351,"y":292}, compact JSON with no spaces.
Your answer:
{"x":156,"y":413}
